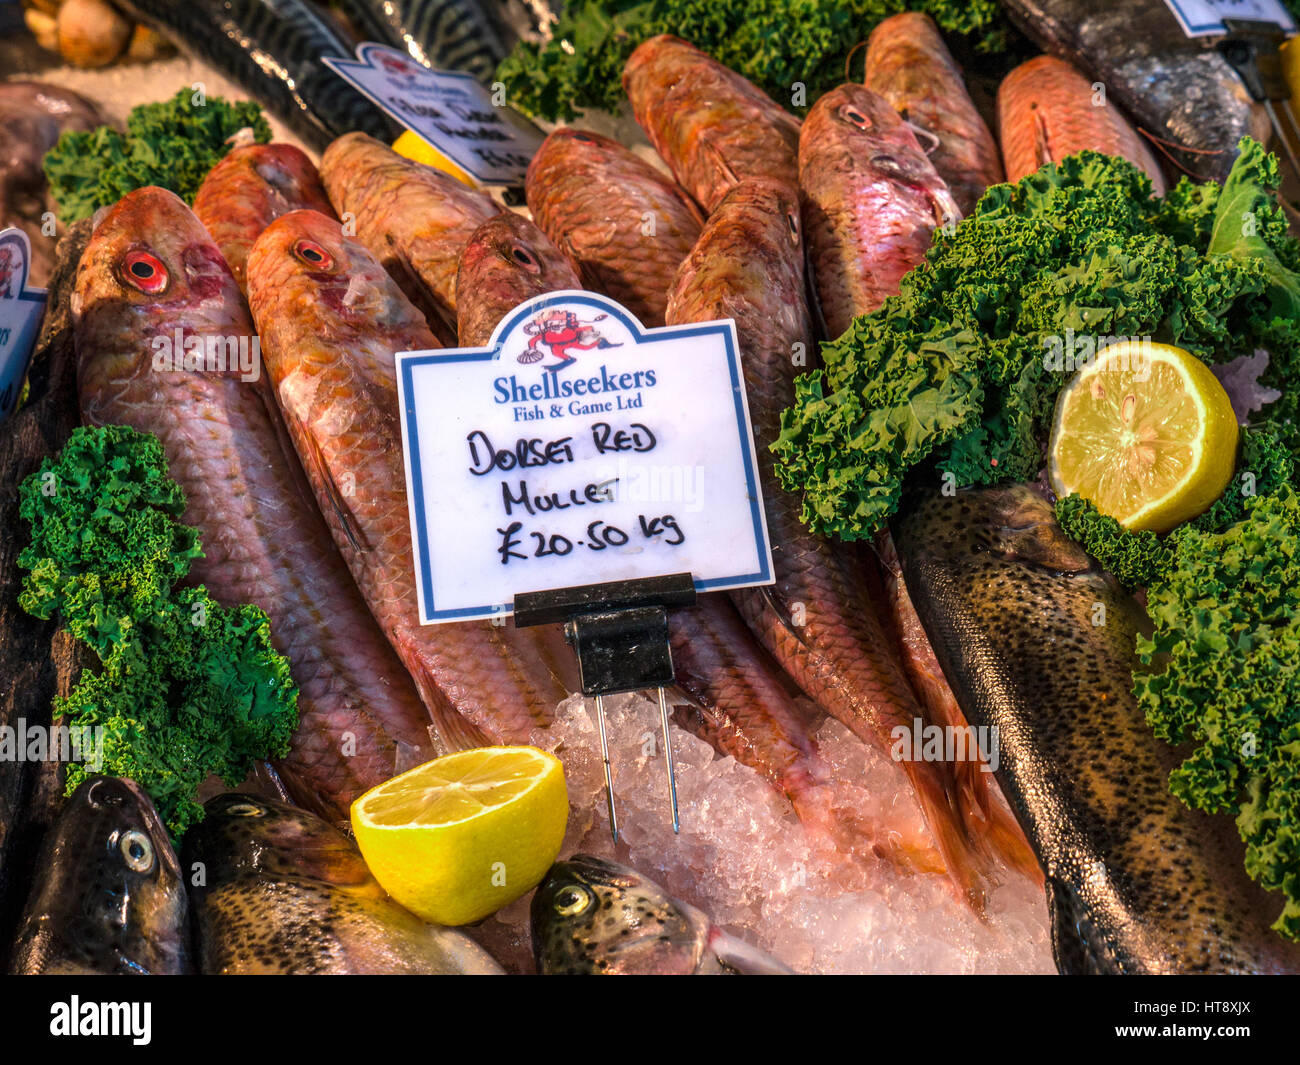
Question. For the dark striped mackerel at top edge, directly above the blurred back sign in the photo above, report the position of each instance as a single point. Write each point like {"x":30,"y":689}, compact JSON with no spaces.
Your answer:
{"x":444,"y":34}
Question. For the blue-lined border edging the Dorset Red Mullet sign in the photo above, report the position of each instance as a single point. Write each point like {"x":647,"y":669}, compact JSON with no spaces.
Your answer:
{"x":409,"y":361}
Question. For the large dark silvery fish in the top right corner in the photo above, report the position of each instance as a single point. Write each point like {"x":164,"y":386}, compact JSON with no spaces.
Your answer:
{"x":1184,"y":94}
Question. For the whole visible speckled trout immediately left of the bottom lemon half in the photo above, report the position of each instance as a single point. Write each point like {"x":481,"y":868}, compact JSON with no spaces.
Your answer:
{"x":287,"y":894}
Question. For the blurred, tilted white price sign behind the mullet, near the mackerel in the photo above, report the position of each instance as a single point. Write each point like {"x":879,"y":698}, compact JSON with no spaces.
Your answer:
{"x":452,"y":111}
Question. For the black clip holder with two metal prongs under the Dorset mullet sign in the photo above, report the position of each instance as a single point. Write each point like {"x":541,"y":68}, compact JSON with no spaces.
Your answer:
{"x":619,"y":631}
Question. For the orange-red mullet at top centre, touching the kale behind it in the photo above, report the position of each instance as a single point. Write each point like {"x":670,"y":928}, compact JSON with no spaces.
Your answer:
{"x":710,"y":125}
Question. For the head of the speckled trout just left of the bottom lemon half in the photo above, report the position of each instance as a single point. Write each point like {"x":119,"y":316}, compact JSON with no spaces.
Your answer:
{"x":245,"y":837}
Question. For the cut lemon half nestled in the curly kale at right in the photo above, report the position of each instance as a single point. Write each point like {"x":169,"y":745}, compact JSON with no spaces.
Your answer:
{"x":1147,"y":434}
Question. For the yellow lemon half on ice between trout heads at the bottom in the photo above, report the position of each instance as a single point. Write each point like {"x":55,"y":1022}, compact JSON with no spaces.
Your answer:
{"x":458,"y":838}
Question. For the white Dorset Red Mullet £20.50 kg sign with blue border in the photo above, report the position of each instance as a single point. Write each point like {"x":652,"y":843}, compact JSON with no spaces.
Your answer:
{"x":579,"y":448}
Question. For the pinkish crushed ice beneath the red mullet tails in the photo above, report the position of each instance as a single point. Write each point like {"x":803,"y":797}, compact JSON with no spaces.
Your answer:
{"x":744,"y":859}
